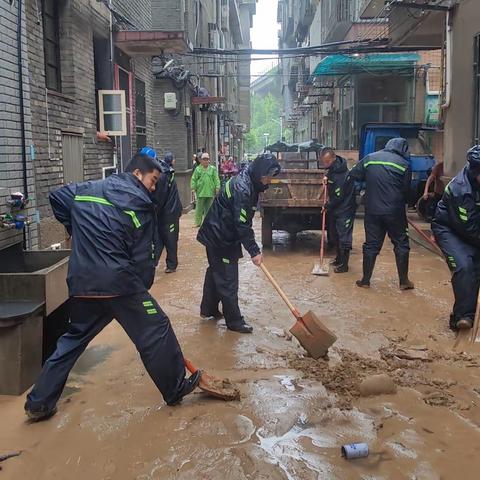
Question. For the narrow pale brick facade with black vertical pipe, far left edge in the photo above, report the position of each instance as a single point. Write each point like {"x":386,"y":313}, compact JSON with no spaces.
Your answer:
{"x":16,"y":156}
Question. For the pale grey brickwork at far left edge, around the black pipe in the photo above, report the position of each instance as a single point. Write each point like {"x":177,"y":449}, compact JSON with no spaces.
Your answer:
{"x":11,"y":175}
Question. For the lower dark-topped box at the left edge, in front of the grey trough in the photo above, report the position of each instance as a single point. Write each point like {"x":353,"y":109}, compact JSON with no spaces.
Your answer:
{"x":21,"y":331}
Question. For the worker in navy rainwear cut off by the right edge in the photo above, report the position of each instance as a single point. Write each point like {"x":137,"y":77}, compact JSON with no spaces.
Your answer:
{"x":456,"y":227}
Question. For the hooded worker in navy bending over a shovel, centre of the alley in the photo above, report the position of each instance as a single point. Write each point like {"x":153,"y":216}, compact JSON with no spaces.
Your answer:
{"x":228,"y":226}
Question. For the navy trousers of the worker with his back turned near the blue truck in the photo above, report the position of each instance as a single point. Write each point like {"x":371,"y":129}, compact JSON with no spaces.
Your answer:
{"x":377,"y":226}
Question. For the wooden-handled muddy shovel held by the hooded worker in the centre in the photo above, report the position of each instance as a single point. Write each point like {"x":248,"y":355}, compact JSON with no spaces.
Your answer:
{"x":312,"y":334}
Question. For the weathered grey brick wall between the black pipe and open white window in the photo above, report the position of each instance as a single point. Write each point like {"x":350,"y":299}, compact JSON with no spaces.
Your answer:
{"x":71,"y":111}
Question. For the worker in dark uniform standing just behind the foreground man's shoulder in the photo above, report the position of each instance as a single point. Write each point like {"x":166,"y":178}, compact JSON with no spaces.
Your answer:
{"x":169,"y":209}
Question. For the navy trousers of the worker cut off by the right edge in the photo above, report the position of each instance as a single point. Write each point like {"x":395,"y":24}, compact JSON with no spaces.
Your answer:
{"x":463,"y":260}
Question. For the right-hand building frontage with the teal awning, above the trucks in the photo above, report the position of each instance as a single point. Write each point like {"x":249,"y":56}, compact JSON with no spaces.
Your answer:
{"x":330,"y":97}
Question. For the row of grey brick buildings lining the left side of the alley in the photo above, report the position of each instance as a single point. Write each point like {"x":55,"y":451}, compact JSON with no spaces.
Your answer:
{"x":72,"y":49}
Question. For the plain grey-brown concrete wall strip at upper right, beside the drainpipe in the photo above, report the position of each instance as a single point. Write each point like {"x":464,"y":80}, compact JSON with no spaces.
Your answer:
{"x":459,"y":116}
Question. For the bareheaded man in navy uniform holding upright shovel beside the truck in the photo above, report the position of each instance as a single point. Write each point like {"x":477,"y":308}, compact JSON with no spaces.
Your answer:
{"x":341,"y":206}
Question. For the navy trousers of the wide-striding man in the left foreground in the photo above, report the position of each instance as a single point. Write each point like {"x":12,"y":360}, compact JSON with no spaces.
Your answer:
{"x":144,"y":322}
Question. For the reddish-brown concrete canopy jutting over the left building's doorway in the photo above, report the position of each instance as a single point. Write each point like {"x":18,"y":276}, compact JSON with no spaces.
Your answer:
{"x":147,"y":43}
